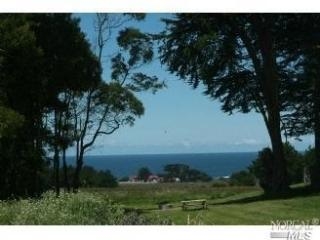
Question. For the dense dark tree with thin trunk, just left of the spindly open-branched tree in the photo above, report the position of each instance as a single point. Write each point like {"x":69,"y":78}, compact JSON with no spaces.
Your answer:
{"x":70,"y":66}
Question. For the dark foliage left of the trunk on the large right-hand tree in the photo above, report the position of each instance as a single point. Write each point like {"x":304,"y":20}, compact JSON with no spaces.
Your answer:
{"x":206,"y":48}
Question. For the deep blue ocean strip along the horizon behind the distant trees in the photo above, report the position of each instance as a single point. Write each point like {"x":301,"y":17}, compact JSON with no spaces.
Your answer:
{"x":214,"y":164}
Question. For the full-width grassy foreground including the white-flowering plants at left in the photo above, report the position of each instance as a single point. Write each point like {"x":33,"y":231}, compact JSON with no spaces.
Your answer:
{"x":138,"y":204}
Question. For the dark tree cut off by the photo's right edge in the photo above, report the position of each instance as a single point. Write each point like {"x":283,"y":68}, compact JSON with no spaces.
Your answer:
{"x":302,"y":95}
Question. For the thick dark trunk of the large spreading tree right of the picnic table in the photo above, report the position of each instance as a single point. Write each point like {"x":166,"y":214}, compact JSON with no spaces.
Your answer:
{"x":270,"y":88}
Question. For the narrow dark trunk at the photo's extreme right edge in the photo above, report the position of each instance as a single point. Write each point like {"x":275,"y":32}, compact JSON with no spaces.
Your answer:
{"x":315,"y":169}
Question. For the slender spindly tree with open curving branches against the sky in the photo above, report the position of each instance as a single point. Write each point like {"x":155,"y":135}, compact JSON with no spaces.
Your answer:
{"x":104,"y":108}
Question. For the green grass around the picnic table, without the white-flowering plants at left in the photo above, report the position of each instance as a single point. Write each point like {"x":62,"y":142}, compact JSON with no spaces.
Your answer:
{"x":226,"y":205}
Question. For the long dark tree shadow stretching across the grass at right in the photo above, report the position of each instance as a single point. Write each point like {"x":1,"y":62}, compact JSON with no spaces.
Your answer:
{"x":305,"y":191}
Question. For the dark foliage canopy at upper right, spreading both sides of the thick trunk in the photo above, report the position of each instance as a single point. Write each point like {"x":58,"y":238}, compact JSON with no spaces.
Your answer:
{"x":225,"y":53}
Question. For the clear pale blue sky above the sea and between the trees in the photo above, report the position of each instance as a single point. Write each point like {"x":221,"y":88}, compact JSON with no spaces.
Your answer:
{"x":179,"y":119}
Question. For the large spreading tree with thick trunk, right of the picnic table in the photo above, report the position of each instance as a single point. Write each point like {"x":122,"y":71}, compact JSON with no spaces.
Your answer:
{"x":242,"y":61}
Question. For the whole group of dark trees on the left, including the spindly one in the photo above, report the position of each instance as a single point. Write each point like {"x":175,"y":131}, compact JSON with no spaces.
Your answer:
{"x":54,"y":95}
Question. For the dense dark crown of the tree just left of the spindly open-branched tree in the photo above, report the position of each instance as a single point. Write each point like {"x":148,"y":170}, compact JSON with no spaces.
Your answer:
{"x":74,"y":66}
